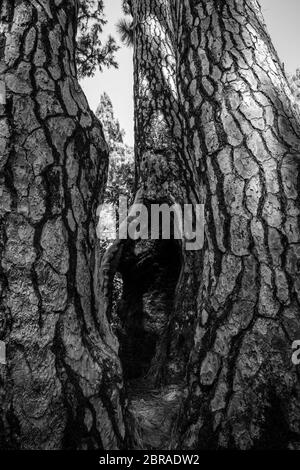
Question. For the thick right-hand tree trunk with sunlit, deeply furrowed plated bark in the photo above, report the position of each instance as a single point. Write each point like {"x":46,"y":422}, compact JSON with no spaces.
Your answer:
{"x":244,"y":391}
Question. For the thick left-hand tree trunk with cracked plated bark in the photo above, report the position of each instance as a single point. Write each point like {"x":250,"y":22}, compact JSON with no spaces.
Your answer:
{"x":61,"y":385}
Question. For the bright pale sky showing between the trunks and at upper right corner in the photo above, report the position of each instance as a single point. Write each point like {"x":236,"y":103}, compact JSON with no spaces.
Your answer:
{"x":282,"y":18}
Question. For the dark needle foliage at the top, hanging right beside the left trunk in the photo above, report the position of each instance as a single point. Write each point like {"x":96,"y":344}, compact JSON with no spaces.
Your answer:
{"x":92,"y":52}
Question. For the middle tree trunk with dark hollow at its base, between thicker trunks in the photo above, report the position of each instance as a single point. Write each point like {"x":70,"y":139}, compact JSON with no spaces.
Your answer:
{"x":151,"y":268}
